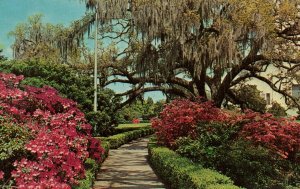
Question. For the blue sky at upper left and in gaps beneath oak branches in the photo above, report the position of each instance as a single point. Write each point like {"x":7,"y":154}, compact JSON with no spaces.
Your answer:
{"x":63,"y":12}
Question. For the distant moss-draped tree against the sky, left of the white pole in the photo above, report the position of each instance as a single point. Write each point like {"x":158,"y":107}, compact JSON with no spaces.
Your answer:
{"x":36,"y":40}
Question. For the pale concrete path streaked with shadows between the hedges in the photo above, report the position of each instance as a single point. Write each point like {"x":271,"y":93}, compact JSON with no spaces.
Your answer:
{"x":127,"y":168}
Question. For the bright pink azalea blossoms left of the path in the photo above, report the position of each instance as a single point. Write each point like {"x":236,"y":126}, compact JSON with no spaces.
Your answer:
{"x":61,"y":137}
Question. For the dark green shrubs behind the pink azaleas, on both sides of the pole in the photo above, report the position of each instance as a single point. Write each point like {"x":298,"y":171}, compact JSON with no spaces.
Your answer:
{"x":71,"y":83}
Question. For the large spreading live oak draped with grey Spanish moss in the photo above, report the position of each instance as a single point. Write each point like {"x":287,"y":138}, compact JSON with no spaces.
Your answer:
{"x":194,"y":48}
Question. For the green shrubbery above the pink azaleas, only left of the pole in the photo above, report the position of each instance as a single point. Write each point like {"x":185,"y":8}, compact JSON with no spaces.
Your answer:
{"x":62,"y":77}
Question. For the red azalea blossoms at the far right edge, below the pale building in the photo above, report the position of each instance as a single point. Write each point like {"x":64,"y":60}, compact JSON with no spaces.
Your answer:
{"x":278,"y":134}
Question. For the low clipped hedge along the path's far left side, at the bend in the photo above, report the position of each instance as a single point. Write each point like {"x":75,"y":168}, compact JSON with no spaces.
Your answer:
{"x":118,"y":140}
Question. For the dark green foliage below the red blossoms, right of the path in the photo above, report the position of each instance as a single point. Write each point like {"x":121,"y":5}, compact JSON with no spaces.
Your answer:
{"x":217,"y":146}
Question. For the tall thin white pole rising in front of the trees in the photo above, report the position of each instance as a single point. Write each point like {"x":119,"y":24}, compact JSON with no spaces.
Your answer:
{"x":95,"y":68}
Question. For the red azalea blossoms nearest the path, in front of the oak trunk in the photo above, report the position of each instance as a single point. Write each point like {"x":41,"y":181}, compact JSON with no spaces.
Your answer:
{"x":180,"y":118}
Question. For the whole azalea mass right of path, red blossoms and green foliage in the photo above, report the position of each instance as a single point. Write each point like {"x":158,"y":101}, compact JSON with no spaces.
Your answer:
{"x":255,"y":150}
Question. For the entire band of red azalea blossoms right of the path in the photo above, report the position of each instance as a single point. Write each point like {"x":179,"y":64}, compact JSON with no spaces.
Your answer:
{"x":180,"y":118}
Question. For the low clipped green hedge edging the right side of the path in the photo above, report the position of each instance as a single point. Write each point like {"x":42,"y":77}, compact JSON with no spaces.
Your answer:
{"x":179,"y":172}
